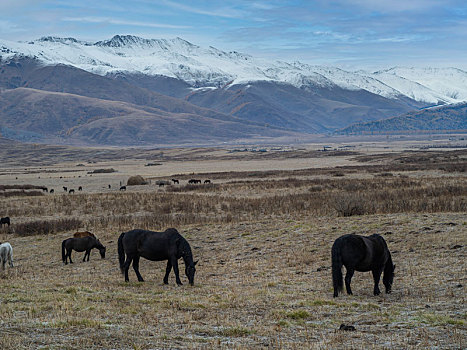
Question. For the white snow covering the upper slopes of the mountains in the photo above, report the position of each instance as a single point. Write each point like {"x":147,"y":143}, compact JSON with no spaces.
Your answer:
{"x":210,"y":67}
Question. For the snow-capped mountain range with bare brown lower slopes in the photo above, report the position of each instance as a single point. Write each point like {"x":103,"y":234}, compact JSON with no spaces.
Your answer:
{"x":133,"y":91}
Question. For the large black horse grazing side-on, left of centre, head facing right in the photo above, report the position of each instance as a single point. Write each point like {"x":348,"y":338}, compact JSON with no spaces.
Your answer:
{"x":156,"y":246}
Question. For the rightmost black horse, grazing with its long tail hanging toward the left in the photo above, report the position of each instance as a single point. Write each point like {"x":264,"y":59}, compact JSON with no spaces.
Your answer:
{"x":358,"y":253}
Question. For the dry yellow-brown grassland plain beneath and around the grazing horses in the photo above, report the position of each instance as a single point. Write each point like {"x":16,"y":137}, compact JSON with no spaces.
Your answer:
{"x":263,"y":238}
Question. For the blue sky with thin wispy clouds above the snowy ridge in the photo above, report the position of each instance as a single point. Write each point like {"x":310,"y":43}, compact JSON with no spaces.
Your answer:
{"x":347,"y":33}
